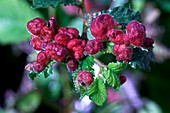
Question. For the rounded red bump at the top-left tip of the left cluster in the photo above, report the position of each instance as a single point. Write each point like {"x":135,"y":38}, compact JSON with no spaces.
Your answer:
{"x":34,"y":26}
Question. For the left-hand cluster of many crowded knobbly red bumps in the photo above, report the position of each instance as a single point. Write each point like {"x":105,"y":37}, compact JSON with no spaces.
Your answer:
{"x":59,"y":44}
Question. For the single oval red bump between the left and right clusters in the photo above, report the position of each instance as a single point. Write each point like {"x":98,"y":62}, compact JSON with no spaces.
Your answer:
{"x":93,"y":46}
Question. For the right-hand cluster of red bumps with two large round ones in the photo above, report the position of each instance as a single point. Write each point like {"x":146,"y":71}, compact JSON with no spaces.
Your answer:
{"x":104,"y":27}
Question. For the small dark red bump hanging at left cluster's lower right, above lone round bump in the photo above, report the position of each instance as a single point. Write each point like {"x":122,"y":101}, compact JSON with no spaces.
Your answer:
{"x":72,"y":64}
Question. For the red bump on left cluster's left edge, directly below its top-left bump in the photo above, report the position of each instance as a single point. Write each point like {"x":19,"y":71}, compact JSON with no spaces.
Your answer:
{"x":36,"y":42}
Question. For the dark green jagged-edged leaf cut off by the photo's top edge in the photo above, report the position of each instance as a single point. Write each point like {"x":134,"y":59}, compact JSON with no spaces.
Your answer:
{"x":53,"y":3}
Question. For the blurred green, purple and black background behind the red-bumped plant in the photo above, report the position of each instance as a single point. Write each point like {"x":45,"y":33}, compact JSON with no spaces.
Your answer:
{"x":56,"y":93}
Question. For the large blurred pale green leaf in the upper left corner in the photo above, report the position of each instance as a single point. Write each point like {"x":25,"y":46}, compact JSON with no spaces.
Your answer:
{"x":14,"y":15}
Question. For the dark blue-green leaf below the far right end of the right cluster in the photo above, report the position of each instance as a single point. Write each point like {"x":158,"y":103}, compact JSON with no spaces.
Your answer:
{"x":142,"y":58}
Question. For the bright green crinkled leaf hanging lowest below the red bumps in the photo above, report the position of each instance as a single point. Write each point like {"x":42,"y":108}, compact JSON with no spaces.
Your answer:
{"x":101,"y":93}
